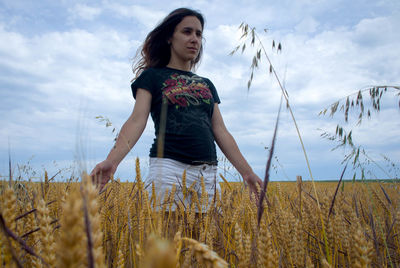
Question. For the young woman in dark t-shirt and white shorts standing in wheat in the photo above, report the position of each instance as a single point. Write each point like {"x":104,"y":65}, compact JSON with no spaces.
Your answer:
{"x":184,"y":109}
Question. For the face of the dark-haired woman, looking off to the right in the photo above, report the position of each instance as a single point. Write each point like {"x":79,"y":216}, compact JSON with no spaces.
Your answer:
{"x":185,"y":42}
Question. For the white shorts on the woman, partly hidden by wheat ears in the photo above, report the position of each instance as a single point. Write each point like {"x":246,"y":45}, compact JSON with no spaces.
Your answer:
{"x":165,"y":173}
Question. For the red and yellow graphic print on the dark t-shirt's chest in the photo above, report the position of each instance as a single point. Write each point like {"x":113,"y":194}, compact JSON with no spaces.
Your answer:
{"x":183,"y":90}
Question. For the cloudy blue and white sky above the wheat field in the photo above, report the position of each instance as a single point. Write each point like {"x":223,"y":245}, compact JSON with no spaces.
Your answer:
{"x":64,"y":63}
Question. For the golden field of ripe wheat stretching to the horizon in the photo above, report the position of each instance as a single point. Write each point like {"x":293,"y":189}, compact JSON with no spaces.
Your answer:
{"x":60,"y":224}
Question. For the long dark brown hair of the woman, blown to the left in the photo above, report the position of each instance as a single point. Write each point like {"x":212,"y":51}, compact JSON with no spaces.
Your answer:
{"x":155,"y":51}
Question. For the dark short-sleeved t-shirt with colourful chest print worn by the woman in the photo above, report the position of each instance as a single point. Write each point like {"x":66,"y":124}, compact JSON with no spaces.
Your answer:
{"x":186,"y":100}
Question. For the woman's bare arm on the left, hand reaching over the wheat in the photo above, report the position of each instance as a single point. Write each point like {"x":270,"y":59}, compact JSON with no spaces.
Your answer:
{"x":127,"y":138}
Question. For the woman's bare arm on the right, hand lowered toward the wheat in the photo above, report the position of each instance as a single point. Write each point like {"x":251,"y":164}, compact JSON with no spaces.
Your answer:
{"x":228,"y":146}
